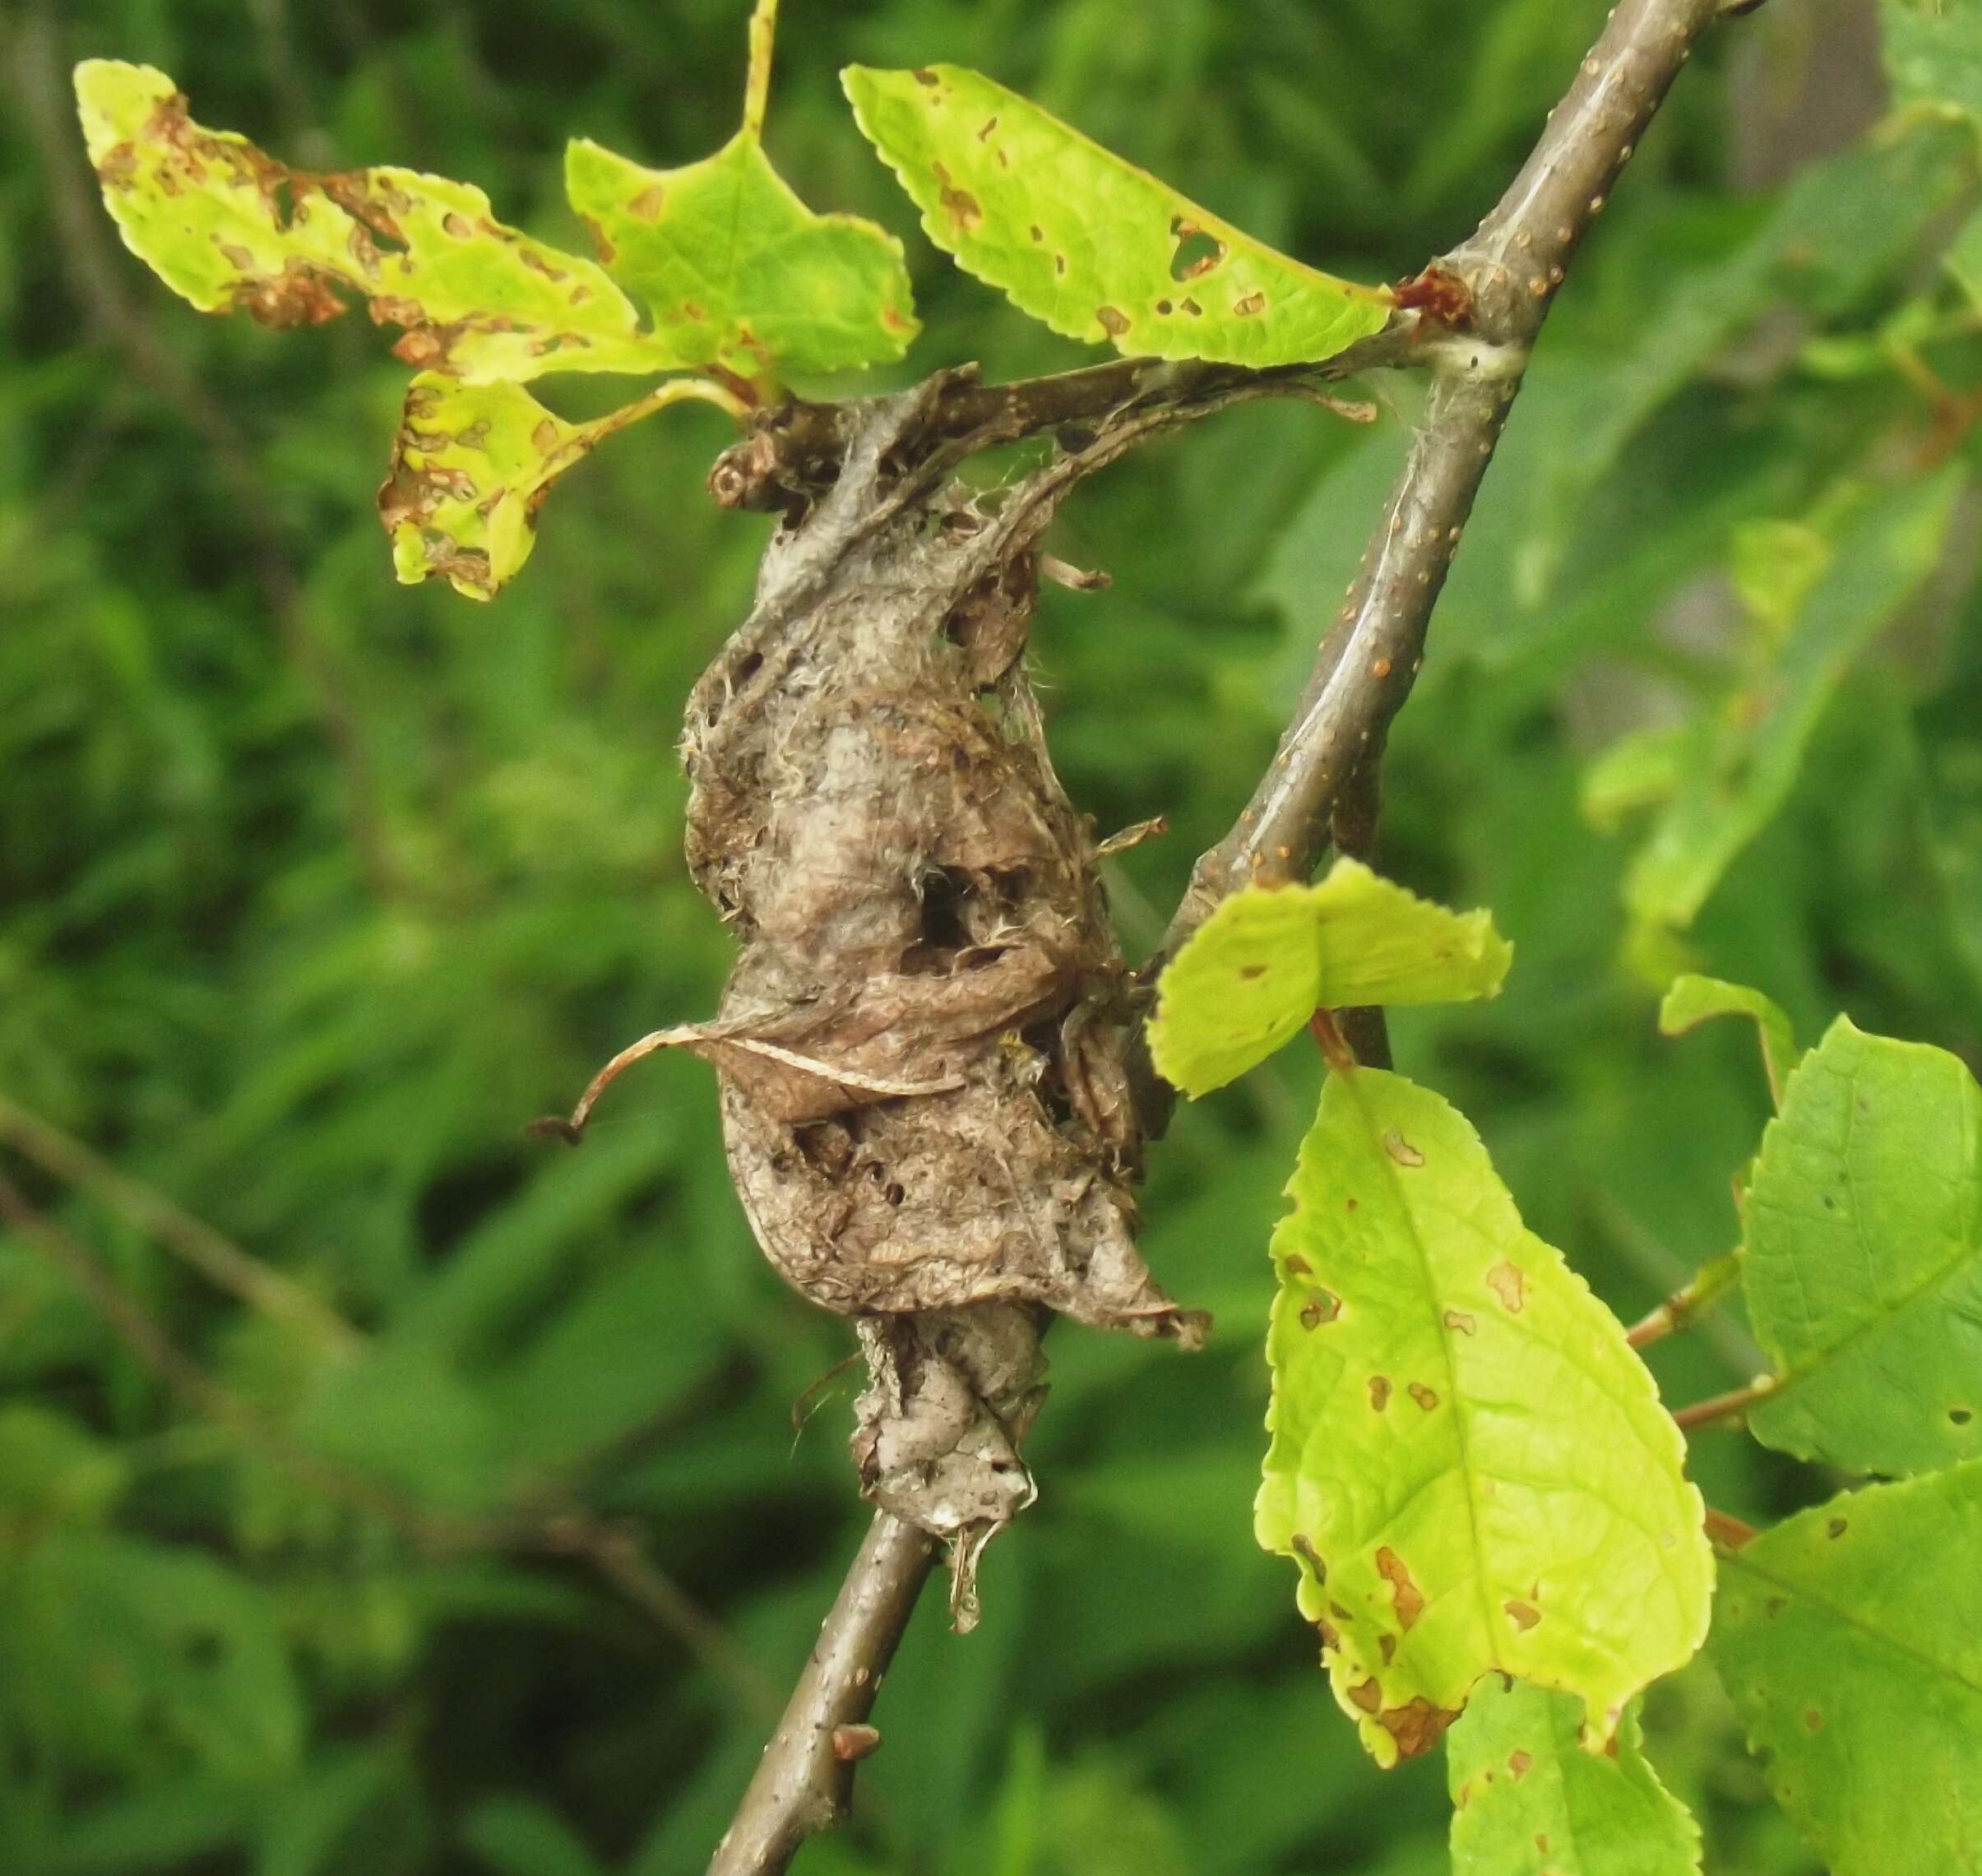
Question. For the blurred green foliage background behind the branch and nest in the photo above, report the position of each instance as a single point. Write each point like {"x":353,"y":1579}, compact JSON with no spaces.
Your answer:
{"x":461,"y":1524}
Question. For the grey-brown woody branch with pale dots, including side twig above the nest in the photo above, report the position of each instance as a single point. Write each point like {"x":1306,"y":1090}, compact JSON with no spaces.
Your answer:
{"x":1363,"y":673}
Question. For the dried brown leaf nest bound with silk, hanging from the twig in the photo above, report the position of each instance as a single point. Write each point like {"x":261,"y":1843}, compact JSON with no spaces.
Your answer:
{"x":877,"y":818}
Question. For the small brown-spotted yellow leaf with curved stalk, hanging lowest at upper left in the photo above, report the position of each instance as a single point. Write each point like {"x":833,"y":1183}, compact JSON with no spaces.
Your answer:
{"x":475,"y":463}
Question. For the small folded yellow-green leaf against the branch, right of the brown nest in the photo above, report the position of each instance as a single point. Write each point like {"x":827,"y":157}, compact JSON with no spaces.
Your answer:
{"x":1269,"y":957}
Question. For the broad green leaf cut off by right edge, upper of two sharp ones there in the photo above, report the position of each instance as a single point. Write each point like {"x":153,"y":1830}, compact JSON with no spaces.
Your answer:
{"x":1864,"y":1258}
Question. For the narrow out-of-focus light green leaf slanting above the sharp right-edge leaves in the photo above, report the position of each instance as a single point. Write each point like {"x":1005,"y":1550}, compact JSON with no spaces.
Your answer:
{"x":1739,"y":764}
